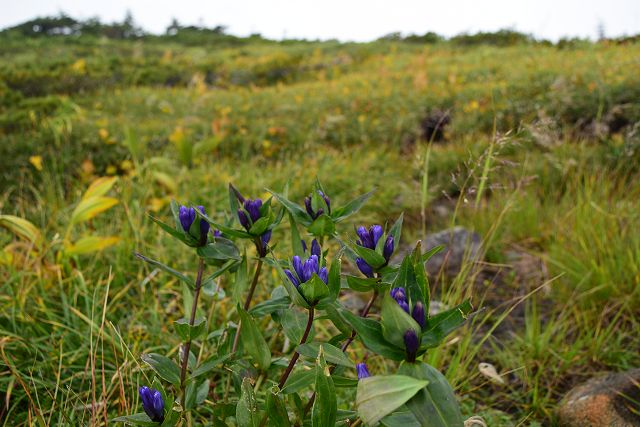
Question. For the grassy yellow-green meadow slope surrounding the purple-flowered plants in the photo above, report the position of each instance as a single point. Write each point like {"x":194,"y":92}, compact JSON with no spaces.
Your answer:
{"x":539,"y":156}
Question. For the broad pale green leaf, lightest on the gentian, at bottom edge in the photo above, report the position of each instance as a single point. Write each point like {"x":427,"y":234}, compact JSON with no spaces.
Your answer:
{"x":380,"y":395}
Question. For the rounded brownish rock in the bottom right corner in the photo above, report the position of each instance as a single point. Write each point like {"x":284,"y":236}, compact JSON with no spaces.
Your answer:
{"x":611,"y":400}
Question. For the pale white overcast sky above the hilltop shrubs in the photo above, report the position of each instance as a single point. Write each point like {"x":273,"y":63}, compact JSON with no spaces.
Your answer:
{"x":359,"y":20}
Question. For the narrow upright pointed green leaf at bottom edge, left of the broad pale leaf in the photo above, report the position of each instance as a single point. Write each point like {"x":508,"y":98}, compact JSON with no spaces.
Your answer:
{"x":325,"y":407}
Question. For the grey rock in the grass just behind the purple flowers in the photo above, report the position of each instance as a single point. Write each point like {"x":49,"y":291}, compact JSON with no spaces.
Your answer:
{"x":460,"y":245}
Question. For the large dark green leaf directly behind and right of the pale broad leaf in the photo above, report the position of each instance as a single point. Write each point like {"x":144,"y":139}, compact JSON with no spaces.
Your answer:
{"x":435,"y":405}
